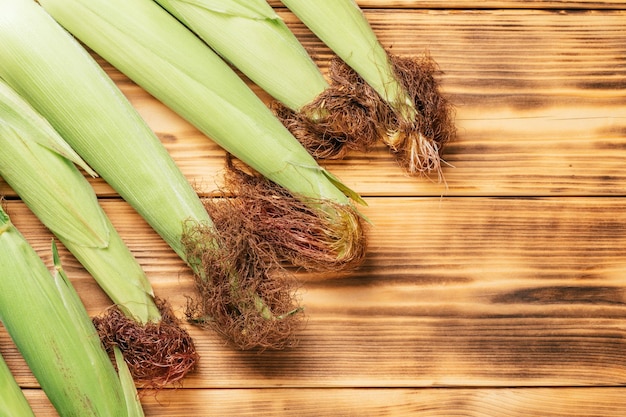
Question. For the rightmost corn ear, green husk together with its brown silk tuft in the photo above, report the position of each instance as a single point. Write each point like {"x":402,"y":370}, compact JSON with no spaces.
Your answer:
{"x":413,"y":118}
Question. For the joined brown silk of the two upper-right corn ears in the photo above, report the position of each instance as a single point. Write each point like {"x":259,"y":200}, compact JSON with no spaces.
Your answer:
{"x":350,"y":115}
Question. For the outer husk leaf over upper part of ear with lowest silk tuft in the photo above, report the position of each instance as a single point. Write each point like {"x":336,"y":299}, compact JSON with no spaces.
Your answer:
{"x":30,"y":148}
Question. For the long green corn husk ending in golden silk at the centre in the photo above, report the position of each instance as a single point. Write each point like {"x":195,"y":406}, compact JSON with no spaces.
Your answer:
{"x":157,"y":52}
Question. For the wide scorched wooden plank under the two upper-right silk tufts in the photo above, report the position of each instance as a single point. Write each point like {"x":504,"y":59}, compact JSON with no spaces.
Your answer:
{"x":540,"y":97}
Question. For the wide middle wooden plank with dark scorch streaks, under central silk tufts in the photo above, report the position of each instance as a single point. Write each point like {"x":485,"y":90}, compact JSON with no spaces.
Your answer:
{"x":454,"y":292}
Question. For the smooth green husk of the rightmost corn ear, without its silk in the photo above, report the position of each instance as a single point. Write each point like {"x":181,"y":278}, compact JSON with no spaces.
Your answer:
{"x":341,"y":25}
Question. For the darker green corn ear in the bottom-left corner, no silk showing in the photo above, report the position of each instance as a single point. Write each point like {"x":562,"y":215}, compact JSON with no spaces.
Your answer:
{"x":50,"y":327}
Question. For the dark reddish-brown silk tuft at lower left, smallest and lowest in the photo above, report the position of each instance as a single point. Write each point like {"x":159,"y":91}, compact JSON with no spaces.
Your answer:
{"x":157,"y":354}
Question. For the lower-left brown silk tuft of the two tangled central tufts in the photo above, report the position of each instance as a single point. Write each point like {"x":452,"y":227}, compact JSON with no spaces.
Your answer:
{"x":242,"y":291}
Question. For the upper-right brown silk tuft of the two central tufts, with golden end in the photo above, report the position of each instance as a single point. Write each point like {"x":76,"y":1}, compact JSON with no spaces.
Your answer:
{"x":317,"y":235}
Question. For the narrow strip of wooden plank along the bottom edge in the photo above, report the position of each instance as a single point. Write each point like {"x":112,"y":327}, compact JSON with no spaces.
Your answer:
{"x":516,"y":402}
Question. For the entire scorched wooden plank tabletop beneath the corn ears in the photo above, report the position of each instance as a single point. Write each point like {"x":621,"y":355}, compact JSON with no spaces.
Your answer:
{"x":499,"y":293}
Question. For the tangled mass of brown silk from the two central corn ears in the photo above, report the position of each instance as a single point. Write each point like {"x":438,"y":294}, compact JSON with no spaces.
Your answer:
{"x":245,"y":292}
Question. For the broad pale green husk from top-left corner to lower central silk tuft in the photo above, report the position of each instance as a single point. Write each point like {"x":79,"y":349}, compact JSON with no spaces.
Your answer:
{"x":58,"y":77}
